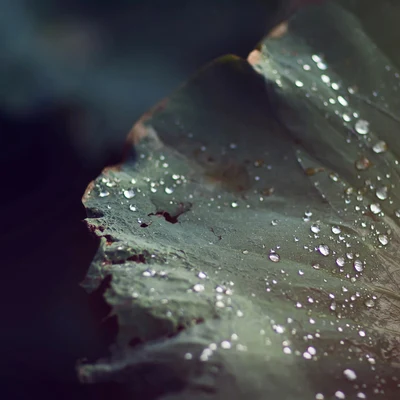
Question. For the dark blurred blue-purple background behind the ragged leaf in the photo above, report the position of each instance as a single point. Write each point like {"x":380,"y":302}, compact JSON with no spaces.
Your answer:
{"x":74,"y":78}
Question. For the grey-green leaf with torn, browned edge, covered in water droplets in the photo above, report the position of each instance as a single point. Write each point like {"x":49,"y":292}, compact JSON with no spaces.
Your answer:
{"x":252,"y":248}
